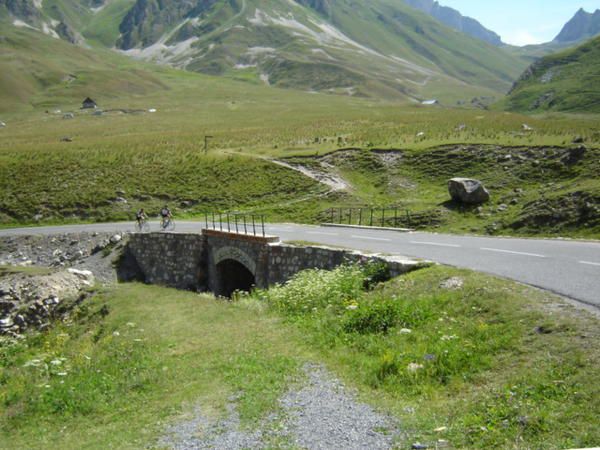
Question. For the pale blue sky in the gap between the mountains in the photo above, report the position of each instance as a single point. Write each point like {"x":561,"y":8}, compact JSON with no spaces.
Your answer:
{"x":522,"y":22}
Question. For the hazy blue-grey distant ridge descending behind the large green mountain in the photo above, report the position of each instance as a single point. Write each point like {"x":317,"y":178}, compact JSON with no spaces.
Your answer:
{"x":454,"y":19}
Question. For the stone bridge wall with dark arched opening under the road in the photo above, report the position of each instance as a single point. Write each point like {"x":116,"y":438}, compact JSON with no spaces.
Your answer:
{"x":223,"y":262}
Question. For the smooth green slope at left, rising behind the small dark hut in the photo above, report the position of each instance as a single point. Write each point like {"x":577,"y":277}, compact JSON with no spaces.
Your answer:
{"x":38,"y":72}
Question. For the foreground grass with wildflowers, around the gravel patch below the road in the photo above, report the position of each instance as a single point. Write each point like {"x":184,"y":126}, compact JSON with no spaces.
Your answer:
{"x":493,"y":362}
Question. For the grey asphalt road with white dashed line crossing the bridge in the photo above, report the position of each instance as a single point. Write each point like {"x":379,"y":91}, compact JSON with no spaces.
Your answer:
{"x":568,"y":268}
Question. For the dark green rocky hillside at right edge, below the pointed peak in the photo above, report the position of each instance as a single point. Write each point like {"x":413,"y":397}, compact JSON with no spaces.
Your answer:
{"x":566,"y":81}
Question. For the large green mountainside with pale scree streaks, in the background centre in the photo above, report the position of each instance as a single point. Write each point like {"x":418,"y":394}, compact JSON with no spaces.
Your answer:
{"x":385,"y":50}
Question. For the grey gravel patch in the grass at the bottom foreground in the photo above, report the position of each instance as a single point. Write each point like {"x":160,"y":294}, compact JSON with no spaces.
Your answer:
{"x":321,"y":414}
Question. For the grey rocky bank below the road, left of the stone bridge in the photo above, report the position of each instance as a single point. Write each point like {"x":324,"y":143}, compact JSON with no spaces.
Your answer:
{"x":42,"y":278}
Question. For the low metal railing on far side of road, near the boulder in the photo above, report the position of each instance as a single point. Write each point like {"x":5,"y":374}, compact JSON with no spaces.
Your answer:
{"x":381,"y":217}
